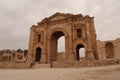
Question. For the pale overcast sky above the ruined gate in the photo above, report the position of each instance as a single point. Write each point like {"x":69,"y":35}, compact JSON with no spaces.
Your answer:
{"x":17,"y":16}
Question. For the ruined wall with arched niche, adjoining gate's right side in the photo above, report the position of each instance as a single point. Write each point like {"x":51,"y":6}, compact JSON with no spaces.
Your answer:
{"x":114,"y":49}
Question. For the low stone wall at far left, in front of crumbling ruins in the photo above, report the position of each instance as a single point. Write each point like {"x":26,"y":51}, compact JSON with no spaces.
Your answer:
{"x":6,"y":65}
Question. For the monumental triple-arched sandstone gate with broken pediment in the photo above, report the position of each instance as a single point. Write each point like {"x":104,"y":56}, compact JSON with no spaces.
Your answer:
{"x":78,"y":30}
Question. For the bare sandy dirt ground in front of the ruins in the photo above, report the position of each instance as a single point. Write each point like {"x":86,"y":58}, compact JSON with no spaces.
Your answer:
{"x":111,"y":72}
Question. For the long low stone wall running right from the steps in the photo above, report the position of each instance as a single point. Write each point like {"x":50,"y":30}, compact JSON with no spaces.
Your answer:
{"x":84,"y":63}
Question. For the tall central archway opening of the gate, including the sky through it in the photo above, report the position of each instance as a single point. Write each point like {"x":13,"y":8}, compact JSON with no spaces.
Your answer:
{"x":57,"y":44}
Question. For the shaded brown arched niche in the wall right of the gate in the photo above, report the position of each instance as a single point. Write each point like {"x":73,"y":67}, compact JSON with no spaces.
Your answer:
{"x":109,"y":50}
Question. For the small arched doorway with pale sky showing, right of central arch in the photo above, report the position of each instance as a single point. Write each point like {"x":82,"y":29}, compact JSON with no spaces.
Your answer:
{"x":80,"y":52}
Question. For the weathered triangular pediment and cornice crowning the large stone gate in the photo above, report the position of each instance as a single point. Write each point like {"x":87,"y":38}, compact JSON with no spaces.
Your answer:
{"x":66,"y":18}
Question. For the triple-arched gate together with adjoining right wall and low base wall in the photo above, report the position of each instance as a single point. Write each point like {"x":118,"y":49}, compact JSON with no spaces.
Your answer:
{"x":79,"y":32}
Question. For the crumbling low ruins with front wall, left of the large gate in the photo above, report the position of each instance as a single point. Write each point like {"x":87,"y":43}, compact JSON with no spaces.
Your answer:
{"x":12,"y":59}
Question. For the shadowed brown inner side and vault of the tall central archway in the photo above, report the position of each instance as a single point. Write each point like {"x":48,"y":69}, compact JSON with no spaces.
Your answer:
{"x":54,"y":44}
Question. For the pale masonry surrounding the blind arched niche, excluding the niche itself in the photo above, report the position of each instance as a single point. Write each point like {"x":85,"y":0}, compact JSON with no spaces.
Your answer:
{"x":102,"y":52}
